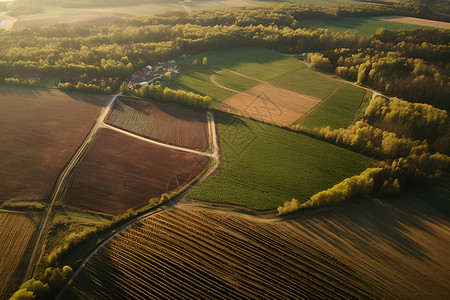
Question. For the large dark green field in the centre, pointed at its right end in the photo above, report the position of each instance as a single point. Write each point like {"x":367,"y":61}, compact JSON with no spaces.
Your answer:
{"x":264,"y":166}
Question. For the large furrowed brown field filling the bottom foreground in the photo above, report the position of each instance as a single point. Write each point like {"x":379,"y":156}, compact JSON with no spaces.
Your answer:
{"x":341,"y":253}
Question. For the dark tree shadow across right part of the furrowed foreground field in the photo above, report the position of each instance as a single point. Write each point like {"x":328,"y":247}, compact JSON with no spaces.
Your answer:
{"x":358,"y":226}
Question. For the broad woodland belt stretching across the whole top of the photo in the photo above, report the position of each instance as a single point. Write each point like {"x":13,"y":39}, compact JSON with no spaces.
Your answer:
{"x":412,"y":65}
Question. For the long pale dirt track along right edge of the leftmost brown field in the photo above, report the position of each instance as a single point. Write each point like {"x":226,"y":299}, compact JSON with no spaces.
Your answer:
{"x":59,"y":188}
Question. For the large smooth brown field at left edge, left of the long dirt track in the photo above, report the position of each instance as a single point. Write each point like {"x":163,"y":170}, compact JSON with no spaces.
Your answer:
{"x":40,"y":129}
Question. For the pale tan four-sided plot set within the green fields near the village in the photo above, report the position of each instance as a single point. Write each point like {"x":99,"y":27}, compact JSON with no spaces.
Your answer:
{"x":268,"y":103}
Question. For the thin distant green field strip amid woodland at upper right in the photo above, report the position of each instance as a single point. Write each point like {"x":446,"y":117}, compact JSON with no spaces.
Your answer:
{"x":363,"y":26}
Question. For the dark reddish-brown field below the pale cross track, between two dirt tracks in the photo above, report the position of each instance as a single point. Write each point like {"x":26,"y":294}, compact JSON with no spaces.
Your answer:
{"x":120,"y":172}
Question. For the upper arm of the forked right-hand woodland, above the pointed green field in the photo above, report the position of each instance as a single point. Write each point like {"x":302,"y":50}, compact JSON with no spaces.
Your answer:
{"x":392,"y":128}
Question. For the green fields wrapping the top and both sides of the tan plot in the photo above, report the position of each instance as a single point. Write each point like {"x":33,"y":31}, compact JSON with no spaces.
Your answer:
{"x":341,"y":100}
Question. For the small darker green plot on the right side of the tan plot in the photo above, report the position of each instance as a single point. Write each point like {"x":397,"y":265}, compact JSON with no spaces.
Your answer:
{"x":338,"y":110}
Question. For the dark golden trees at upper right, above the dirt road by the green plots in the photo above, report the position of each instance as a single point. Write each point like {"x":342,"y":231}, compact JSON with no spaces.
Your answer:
{"x":411,"y":65}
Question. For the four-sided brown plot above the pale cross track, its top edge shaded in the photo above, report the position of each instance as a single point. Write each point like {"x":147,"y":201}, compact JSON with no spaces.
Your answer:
{"x":168,"y":123}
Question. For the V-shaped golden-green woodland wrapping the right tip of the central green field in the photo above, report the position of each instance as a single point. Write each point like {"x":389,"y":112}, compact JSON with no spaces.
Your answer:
{"x":405,"y":158}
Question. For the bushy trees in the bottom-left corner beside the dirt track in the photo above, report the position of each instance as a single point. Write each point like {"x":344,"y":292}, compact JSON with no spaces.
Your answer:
{"x":46,"y":287}
